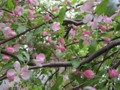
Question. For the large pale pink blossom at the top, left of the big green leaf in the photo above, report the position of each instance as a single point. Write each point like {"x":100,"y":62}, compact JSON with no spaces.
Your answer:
{"x":87,"y":7}
